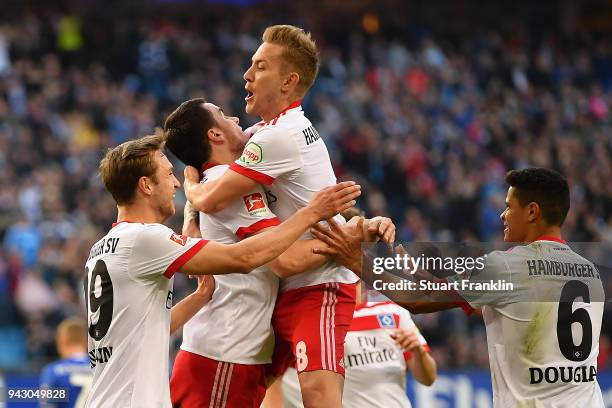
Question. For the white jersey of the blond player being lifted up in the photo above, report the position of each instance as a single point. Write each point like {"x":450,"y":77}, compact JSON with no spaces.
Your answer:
{"x":288,"y":155}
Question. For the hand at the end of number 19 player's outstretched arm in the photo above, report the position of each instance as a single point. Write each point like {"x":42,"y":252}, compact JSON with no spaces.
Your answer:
{"x":334,"y":199}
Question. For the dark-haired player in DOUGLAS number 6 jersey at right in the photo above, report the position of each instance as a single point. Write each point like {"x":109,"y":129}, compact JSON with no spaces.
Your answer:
{"x":543,"y":335}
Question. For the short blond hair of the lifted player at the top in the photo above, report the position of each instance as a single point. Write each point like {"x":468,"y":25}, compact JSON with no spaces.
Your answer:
{"x":300,"y":51}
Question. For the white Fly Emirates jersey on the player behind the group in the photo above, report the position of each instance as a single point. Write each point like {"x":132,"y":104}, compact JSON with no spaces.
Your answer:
{"x":375,"y":365}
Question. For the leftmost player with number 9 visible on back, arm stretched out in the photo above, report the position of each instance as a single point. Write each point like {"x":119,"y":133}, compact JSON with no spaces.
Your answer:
{"x":128,"y":282}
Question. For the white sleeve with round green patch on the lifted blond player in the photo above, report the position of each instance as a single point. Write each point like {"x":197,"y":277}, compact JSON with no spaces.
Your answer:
{"x":271,"y":153}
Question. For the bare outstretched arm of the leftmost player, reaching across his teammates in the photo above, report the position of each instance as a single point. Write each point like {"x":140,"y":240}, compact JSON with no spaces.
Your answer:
{"x":252,"y":252}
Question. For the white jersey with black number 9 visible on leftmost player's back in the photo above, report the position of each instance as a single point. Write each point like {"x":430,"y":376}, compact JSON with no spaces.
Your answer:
{"x":128,"y":291}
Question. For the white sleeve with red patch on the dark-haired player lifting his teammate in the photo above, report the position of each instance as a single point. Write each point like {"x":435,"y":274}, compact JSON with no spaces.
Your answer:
{"x":249,"y":214}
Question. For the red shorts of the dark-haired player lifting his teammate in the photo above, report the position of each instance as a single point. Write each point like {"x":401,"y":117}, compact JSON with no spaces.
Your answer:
{"x":199,"y":381}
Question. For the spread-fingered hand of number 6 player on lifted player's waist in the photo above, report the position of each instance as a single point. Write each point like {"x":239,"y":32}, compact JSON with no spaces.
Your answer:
{"x":343,"y":244}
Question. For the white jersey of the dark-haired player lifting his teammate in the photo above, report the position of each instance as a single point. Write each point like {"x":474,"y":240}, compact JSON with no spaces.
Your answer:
{"x":235,"y":325}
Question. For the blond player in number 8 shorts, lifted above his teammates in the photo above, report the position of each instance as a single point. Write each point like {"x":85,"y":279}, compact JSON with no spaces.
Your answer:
{"x":313,"y":310}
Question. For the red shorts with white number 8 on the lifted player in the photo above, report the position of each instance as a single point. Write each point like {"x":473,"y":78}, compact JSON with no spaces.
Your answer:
{"x":310,"y":325}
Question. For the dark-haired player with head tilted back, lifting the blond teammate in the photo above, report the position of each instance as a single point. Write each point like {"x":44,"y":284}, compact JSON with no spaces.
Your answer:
{"x":230,"y":339}
